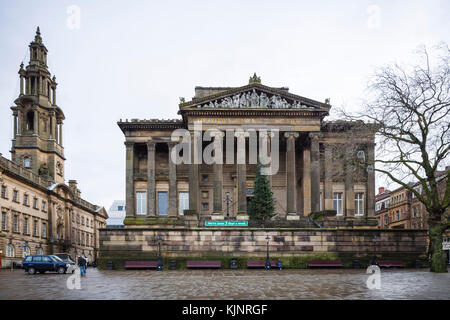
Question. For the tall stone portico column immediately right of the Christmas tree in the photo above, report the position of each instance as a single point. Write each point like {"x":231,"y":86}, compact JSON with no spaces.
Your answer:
{"x":290,"y":172}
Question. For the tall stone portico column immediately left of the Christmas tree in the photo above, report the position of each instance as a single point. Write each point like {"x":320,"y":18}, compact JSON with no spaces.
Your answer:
{"x":241,"y":172}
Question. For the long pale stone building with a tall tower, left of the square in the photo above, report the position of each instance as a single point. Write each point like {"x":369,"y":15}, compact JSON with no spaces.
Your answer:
{"x":40,"y":214}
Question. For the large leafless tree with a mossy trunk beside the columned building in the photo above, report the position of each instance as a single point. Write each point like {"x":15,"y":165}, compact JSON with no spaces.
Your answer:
{"x":410,"y":107}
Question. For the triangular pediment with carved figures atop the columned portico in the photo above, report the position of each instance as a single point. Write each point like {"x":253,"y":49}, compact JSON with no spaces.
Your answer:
{"x":253,"y":96}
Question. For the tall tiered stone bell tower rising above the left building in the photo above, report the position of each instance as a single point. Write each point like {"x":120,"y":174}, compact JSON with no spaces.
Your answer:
{"x":38,"y":121}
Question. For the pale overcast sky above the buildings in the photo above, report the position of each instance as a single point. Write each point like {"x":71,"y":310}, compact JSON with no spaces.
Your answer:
{"x":134,"y":59}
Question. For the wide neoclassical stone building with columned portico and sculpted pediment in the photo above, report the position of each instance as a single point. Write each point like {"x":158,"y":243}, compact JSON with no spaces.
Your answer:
{"x":316,"y":169}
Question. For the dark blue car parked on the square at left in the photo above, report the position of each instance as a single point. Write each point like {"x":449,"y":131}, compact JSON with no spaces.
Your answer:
{"x":44,"y":263}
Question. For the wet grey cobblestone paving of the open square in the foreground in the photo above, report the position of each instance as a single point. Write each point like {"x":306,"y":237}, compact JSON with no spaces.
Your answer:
{"x":227,"y":284}
